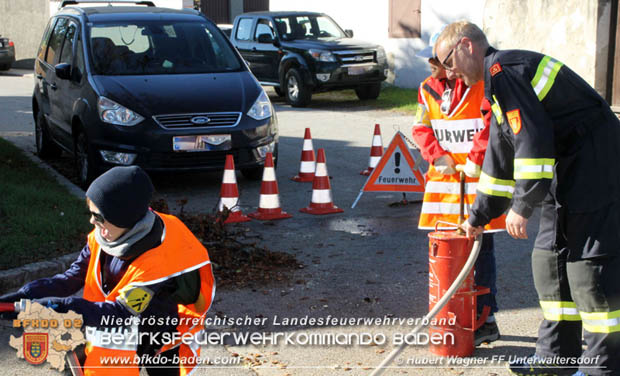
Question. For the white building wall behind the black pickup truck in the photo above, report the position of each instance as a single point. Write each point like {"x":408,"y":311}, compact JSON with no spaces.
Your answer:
{"x":369,"y":19}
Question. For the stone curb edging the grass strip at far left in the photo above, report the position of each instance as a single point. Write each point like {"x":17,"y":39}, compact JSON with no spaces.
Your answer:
{"x":12,"y":279}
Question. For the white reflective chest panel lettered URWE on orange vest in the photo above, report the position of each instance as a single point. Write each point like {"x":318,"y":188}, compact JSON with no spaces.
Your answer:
{"x":456,"y":136}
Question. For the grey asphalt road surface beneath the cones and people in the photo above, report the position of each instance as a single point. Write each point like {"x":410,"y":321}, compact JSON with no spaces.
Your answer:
{"x":368,"y":262}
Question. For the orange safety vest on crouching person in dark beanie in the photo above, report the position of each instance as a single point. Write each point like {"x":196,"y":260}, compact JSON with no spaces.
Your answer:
{"x":180,"y":252}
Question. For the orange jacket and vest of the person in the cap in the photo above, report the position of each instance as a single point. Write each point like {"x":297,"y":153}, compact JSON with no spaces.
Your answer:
{"x":456,"y":129}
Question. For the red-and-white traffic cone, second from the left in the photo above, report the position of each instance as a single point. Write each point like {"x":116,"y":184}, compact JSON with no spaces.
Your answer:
{"x":269,"y":203}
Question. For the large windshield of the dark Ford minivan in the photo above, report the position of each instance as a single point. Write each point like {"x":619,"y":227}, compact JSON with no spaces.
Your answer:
{"x":159,"y":47}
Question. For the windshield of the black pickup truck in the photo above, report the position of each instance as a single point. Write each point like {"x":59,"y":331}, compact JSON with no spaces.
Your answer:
{"x":308,"y":27}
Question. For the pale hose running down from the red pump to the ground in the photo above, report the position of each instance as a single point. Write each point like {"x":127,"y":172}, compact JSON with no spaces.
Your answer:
{"x":473,"y":256}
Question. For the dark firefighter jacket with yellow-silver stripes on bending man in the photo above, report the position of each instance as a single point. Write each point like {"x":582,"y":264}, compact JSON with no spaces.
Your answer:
{"x":541,"y":139}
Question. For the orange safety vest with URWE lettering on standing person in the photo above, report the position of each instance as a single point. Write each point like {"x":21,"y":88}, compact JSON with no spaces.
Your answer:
{"x":455,"y":133}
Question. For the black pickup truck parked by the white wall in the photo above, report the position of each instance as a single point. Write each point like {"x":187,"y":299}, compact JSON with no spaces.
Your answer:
{"x":299,"y":53}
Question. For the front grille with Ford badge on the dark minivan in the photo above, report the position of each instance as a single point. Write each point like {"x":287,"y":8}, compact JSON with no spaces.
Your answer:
{"x":209,"y":119}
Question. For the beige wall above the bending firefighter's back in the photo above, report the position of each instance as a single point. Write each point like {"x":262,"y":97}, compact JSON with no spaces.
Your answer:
{"x":576,"y":32}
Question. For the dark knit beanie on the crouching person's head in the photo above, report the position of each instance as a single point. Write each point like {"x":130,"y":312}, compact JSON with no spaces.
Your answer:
{"x":122,"y":194}
